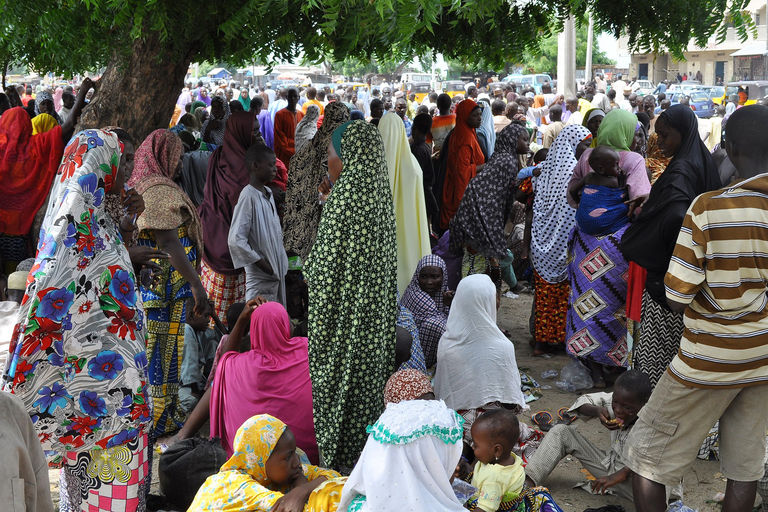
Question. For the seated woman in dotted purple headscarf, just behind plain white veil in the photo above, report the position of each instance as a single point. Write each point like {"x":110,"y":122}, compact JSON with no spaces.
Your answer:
{"x":428,"y":299}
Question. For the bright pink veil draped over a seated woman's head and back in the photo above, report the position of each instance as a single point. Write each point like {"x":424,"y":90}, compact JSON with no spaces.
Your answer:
{"x":271,"y":378}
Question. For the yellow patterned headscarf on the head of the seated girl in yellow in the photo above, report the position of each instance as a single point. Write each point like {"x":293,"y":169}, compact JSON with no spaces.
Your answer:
{"x":254,"y":442}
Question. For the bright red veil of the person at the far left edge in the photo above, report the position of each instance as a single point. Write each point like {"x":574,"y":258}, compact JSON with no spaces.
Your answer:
{"x":27,"y":166}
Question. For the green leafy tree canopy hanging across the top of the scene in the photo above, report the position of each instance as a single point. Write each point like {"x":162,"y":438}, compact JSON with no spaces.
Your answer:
{"x":75,"y":35}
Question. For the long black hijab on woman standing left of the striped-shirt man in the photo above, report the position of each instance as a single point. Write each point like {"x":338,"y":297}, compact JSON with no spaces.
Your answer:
{"x":650,"y":239}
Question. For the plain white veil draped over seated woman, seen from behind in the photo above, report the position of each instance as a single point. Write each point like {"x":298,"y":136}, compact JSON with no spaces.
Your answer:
{"x":475,"y":362}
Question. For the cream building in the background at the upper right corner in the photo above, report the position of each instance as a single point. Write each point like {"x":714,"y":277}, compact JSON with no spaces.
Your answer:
{"x":717,"y":63}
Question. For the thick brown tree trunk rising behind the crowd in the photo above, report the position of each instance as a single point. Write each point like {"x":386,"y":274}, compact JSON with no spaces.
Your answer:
{"x":138,"y":93}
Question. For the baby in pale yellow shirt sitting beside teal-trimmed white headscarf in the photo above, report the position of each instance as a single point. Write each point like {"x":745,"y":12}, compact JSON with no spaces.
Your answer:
{"x":499,"y":474}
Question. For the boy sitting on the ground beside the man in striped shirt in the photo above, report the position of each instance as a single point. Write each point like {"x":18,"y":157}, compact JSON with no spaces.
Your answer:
{"x":617,"y":411}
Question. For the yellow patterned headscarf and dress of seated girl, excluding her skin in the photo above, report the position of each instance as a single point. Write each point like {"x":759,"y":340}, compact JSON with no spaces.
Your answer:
{"x":242,"y":483}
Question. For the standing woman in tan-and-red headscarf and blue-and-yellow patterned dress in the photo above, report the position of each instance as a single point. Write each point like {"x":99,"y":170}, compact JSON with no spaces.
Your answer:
{"x":170,"y":224}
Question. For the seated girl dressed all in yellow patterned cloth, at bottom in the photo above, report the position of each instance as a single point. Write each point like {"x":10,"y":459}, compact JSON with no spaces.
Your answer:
{"x":264,"y":474}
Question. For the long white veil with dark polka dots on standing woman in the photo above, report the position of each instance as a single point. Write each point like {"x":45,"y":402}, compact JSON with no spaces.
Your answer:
{"x":553,"y":217}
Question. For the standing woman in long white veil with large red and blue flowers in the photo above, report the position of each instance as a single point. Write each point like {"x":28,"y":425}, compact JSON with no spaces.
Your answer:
{"x":78,"y":363}
